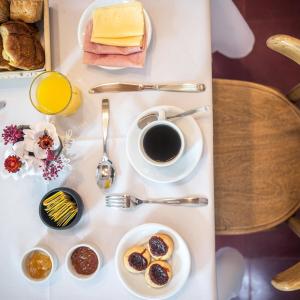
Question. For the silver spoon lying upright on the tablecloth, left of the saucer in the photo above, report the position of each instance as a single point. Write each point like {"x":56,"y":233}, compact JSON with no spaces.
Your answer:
{"x":105,"y":173}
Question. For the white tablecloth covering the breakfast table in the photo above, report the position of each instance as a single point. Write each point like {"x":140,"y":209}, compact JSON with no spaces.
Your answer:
{"x":180,"y":51}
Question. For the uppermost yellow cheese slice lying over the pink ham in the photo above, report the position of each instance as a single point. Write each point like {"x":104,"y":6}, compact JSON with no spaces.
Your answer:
{"x":118,"y":21}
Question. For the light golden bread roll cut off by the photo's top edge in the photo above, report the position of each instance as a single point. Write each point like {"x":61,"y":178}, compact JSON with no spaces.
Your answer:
{"x":29,"y":11}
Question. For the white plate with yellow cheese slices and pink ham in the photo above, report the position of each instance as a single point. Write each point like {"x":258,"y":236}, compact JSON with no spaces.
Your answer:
{"x":110,"y":39}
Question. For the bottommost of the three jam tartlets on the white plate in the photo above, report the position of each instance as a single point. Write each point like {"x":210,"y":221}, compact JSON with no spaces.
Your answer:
{"x":158,"y":274}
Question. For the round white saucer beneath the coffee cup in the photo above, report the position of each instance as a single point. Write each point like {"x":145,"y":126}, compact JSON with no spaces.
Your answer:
{"x":184,"y":166}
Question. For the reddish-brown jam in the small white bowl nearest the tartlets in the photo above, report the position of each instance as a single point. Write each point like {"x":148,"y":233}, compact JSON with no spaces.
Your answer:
{"x":84,"y":261}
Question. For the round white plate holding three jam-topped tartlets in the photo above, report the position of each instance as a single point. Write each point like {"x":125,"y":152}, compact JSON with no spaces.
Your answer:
{"x":153,"y":261}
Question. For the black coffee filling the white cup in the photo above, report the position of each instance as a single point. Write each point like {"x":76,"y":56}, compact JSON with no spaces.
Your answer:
{"x":162,"y":143}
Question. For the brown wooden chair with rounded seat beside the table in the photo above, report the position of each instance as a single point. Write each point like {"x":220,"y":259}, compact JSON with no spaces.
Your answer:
{"x":257,"y":156}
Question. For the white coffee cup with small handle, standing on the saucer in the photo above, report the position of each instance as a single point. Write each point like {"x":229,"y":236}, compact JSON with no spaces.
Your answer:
{"x":160,"y":121}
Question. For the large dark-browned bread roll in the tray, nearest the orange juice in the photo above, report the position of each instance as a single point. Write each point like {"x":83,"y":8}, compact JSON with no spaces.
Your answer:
{"x":21,"y":48}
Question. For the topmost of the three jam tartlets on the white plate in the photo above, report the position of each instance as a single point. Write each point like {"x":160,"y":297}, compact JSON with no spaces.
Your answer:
{"x":160,"y":246}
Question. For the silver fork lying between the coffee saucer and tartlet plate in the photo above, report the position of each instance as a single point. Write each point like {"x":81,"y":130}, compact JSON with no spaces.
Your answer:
{"x":128,"y":201}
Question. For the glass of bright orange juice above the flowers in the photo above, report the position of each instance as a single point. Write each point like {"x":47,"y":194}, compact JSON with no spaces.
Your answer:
{"x":51,"y":93}
